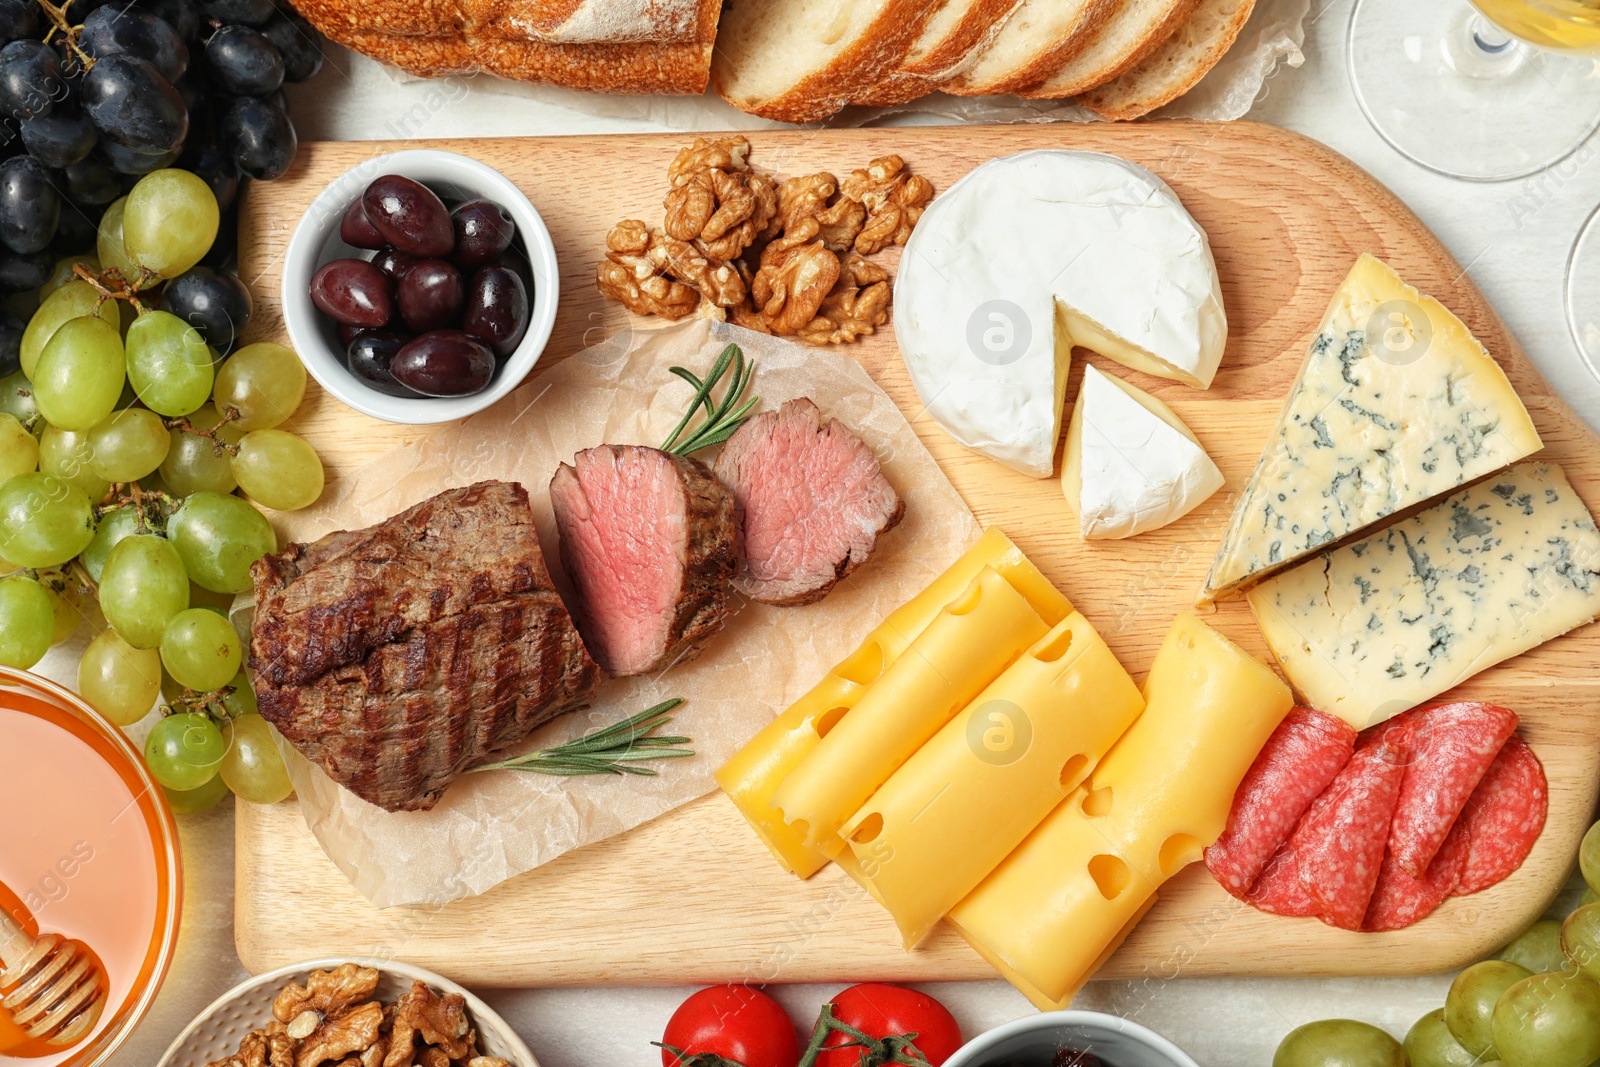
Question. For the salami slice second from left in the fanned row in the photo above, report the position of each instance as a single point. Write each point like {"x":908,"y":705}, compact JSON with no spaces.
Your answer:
{"x":1340,"y":844}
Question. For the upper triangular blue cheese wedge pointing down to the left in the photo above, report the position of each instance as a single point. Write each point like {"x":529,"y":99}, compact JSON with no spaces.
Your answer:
{"x":1394,"y":406}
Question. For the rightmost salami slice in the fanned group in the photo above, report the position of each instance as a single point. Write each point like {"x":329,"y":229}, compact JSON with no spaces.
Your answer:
{"x":1503,"y":818}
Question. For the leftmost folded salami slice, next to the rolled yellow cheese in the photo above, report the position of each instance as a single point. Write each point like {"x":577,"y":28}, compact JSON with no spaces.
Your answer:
{"x":1297,"y":764}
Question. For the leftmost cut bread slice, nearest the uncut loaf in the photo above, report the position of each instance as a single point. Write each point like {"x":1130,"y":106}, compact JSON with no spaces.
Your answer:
{"x":804,"y":60}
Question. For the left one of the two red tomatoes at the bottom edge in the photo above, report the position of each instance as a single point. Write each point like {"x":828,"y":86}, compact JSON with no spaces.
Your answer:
{"x":738,"y":1023}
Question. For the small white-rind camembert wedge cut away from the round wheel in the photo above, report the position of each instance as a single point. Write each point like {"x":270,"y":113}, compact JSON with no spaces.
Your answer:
{"x":1132,"y":463}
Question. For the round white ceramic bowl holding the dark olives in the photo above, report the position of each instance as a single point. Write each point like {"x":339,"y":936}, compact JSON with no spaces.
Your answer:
{"x":316,"y":241}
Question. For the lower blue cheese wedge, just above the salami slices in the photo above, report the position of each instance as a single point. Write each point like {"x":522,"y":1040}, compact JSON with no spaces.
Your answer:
{"x":1391,"y":621}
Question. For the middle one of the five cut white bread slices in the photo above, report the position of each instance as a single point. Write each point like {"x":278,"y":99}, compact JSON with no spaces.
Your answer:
{"x":1036,"y":41}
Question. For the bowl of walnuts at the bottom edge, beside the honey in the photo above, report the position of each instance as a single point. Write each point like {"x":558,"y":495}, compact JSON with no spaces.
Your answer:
{"x":217,"y":1033}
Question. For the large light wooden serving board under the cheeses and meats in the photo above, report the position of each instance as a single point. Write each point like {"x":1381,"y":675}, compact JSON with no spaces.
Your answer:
{"x":694,"y":897}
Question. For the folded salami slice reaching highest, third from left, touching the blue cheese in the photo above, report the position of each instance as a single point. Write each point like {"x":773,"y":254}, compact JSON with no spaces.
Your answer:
{"x":1449,"y":749}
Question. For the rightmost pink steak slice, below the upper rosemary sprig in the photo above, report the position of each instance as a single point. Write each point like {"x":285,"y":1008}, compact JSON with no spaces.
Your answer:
{"x":812,"y":503}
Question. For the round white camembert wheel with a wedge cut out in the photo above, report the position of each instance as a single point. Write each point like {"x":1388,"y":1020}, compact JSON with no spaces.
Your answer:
{"x":1038,"y":252}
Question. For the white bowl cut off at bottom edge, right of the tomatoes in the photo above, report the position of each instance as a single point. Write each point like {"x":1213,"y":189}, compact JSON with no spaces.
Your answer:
{"x":1034,"y":1041}
